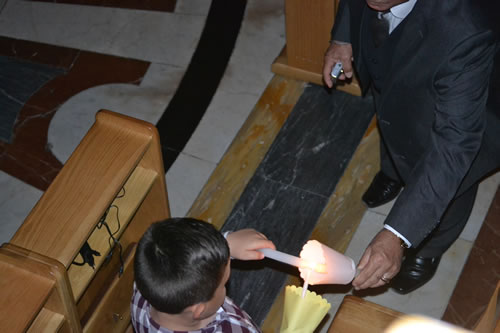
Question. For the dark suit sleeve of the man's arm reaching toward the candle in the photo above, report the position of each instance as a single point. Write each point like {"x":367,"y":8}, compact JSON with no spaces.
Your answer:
{"x":461,"y":90}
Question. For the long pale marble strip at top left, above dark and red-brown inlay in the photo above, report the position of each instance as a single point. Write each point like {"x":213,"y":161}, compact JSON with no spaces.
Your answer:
{"x":160,"y":37}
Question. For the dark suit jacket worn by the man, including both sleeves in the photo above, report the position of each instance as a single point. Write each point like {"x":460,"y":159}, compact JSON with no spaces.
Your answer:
{"x":441,"y":130}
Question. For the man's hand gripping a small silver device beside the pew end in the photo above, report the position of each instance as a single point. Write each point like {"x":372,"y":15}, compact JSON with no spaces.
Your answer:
{"x":337,"y":53}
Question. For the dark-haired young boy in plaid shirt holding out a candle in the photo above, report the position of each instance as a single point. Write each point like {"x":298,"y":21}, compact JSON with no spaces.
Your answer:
{"x":181,"y":268}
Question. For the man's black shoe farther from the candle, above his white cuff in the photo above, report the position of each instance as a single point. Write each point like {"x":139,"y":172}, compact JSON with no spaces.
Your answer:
{"x":382,"y":190}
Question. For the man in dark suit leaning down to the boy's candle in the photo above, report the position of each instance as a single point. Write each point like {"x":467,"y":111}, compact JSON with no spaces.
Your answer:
{"x":430,"y":66}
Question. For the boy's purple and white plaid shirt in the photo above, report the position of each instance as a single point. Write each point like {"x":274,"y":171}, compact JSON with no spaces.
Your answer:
{"x":229,"y":318}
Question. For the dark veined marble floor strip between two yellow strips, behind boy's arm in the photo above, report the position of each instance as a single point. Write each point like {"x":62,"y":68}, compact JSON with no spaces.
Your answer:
{"x":292,"y":185}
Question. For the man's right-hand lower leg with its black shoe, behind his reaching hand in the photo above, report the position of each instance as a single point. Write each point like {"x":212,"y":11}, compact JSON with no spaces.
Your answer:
{"x":420,"y":264}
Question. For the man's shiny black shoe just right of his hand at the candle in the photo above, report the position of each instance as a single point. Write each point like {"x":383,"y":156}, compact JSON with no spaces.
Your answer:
{"x":415,"y":272}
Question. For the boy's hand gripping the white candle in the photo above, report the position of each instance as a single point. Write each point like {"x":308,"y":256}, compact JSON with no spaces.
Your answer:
{"x":244,"y":243}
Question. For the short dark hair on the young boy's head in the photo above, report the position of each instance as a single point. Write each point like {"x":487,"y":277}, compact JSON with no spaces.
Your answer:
{"x":180,"y":262}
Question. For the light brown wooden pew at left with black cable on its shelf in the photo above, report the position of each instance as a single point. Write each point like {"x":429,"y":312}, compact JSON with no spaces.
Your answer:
{"x":114,"y":180}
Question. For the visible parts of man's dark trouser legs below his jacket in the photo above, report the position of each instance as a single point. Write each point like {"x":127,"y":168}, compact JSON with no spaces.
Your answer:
{"x":453,"y":221}
